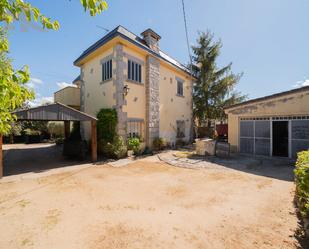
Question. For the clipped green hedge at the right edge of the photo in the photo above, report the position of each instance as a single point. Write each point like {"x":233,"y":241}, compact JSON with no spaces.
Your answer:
{"x":302,"y":182}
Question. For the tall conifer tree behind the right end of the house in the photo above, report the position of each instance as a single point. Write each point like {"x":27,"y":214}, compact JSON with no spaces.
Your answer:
{"x":214,"y":88}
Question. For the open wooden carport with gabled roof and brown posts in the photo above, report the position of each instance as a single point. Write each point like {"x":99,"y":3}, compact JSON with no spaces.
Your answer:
{"x":57,"y":112}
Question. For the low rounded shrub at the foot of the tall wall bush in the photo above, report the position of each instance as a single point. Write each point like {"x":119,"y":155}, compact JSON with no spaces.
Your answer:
{"x":117,"y":149}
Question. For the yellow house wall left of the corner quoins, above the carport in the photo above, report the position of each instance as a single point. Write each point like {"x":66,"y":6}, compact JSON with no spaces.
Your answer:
{"x":97,"y":95}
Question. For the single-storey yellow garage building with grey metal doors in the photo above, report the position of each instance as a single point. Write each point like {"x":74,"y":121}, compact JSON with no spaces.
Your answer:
{"x":275,"y":125}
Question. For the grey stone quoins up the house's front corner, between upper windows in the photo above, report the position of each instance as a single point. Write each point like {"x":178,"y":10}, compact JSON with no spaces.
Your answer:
{"x":118,"y":81}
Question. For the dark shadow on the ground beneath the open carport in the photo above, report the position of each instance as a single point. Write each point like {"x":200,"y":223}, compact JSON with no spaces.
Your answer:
{"x":35,"y":158}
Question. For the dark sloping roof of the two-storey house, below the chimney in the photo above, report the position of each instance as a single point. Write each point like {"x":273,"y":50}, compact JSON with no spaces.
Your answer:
{"x":124,"y":33}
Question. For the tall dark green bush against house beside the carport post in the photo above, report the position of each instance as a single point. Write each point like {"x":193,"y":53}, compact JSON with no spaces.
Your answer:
{"x":110,"y":144}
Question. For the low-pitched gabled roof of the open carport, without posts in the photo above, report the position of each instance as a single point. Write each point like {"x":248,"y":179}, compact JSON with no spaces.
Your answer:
{"x":53,"y":112}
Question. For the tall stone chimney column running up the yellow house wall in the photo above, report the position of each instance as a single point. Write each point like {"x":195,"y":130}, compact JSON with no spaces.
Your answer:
{"x":152,"y":99}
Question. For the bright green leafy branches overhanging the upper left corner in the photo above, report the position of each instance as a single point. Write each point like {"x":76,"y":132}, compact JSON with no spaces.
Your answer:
{"x":13,"y":90}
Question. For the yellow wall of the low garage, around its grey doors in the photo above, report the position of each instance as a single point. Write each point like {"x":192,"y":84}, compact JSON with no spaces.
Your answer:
{"x":295,"y":104}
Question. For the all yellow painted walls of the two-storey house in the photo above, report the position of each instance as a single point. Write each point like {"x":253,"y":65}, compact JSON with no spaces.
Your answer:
{"x":179,"y":109}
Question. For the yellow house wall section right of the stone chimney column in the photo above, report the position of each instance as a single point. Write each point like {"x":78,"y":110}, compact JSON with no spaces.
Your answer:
{"x":173,"y":107}
